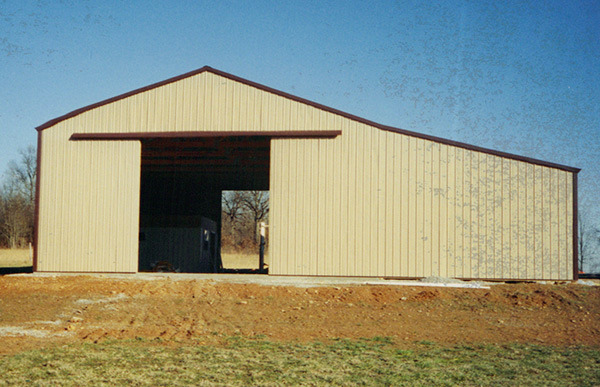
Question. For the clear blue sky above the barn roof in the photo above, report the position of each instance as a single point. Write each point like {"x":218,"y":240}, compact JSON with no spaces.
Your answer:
{"x":518,"y":76}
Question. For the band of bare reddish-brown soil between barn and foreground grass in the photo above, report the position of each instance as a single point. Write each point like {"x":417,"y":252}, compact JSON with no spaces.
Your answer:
{"x":40,"y":311}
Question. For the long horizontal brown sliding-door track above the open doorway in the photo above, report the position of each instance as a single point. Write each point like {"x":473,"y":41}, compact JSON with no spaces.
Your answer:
{"x":144,"y":135}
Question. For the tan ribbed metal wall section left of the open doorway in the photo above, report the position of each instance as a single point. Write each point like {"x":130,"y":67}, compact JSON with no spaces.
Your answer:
{"x":89,"y":205}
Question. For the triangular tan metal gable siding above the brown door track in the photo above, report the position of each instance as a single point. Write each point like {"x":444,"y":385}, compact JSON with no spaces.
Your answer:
{"x":204,"y":102}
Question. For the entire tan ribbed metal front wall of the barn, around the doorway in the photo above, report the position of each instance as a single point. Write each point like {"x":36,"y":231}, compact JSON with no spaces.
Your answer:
{"x":370,"y":202}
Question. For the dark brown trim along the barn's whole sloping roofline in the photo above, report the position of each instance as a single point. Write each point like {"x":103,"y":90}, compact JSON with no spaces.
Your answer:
{"x":313,"y":104}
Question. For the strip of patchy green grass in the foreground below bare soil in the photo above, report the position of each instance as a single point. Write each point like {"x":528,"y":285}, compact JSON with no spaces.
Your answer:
{"x":243,"y":361}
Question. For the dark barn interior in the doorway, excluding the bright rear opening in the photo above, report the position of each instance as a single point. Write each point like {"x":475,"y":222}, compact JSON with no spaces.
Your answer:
{"x":182,"y":181}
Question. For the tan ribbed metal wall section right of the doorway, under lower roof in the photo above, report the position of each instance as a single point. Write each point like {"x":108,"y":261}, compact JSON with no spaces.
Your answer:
{"x":376,"y":203}
